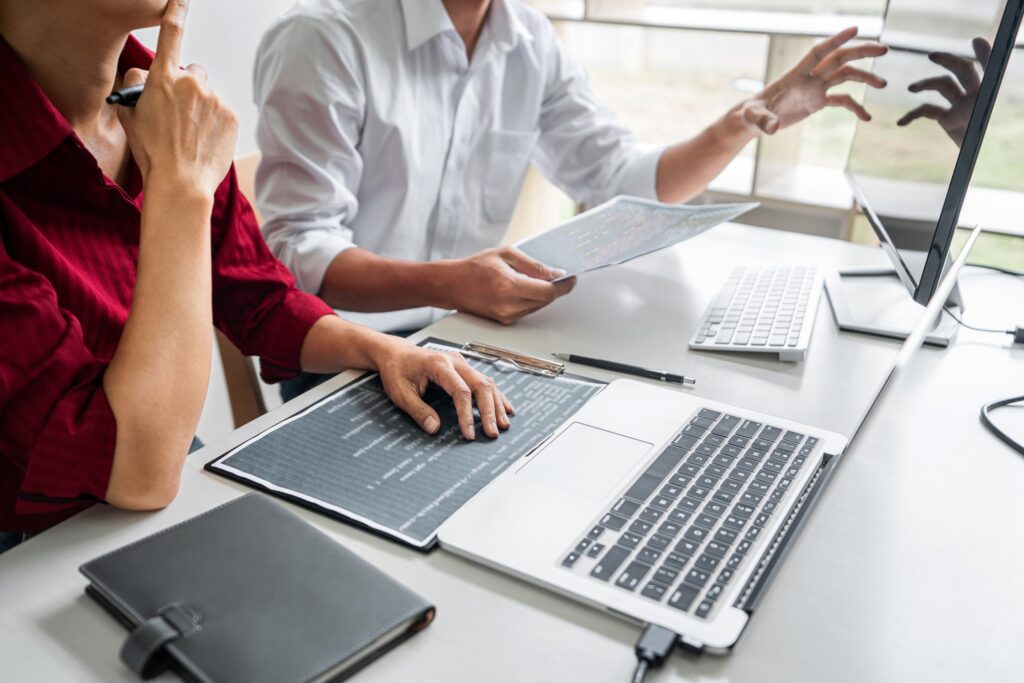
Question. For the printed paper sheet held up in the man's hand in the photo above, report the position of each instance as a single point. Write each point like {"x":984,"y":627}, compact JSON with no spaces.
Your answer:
{"x":623,"y":230}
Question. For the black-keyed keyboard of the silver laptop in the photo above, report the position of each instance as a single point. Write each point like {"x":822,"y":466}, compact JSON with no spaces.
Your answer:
{"x":681,"y":532}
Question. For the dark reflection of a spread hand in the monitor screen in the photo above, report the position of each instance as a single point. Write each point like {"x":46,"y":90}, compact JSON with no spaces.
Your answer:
{"x":961,"y":94}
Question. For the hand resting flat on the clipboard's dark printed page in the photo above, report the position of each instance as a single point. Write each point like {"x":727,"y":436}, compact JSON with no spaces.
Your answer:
{"x":407,"y":371}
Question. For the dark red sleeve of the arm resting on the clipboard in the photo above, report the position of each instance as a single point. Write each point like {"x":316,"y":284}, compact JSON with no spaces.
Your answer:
{"x":255,"y":302}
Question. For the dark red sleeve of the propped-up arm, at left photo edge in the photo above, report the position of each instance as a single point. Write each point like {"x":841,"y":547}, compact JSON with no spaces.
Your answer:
{"x":59,"y":429}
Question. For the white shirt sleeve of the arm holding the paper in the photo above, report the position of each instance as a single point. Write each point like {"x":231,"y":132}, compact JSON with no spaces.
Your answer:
{"x":312,"y":105}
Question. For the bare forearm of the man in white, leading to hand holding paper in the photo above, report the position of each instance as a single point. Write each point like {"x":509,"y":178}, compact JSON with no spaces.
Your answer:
{"x":361,"y":281}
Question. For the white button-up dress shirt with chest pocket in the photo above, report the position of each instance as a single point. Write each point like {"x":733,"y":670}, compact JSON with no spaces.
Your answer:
{"x":377,"y":132}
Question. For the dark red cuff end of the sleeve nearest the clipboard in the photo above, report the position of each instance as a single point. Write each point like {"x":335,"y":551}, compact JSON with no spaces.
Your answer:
{"x":290,"y":324}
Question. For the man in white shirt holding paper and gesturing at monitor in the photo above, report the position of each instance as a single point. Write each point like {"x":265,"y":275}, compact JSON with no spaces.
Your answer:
{"x":397,"y":136}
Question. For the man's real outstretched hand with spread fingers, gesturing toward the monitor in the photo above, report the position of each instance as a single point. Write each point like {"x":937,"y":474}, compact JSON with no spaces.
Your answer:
{"x":804,"y":90}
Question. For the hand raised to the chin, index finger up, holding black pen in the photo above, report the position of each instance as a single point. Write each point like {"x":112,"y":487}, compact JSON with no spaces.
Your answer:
{"x":180,"y":131}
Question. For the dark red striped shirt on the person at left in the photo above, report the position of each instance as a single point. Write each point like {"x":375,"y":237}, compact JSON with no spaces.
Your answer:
{"x":68,"y":261}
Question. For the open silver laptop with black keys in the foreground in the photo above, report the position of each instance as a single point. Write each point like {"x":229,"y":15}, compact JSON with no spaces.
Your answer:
{"x":660,"y":507}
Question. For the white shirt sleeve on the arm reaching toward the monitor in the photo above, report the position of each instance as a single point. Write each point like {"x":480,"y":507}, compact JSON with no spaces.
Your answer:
{"x":583,"y":148}
